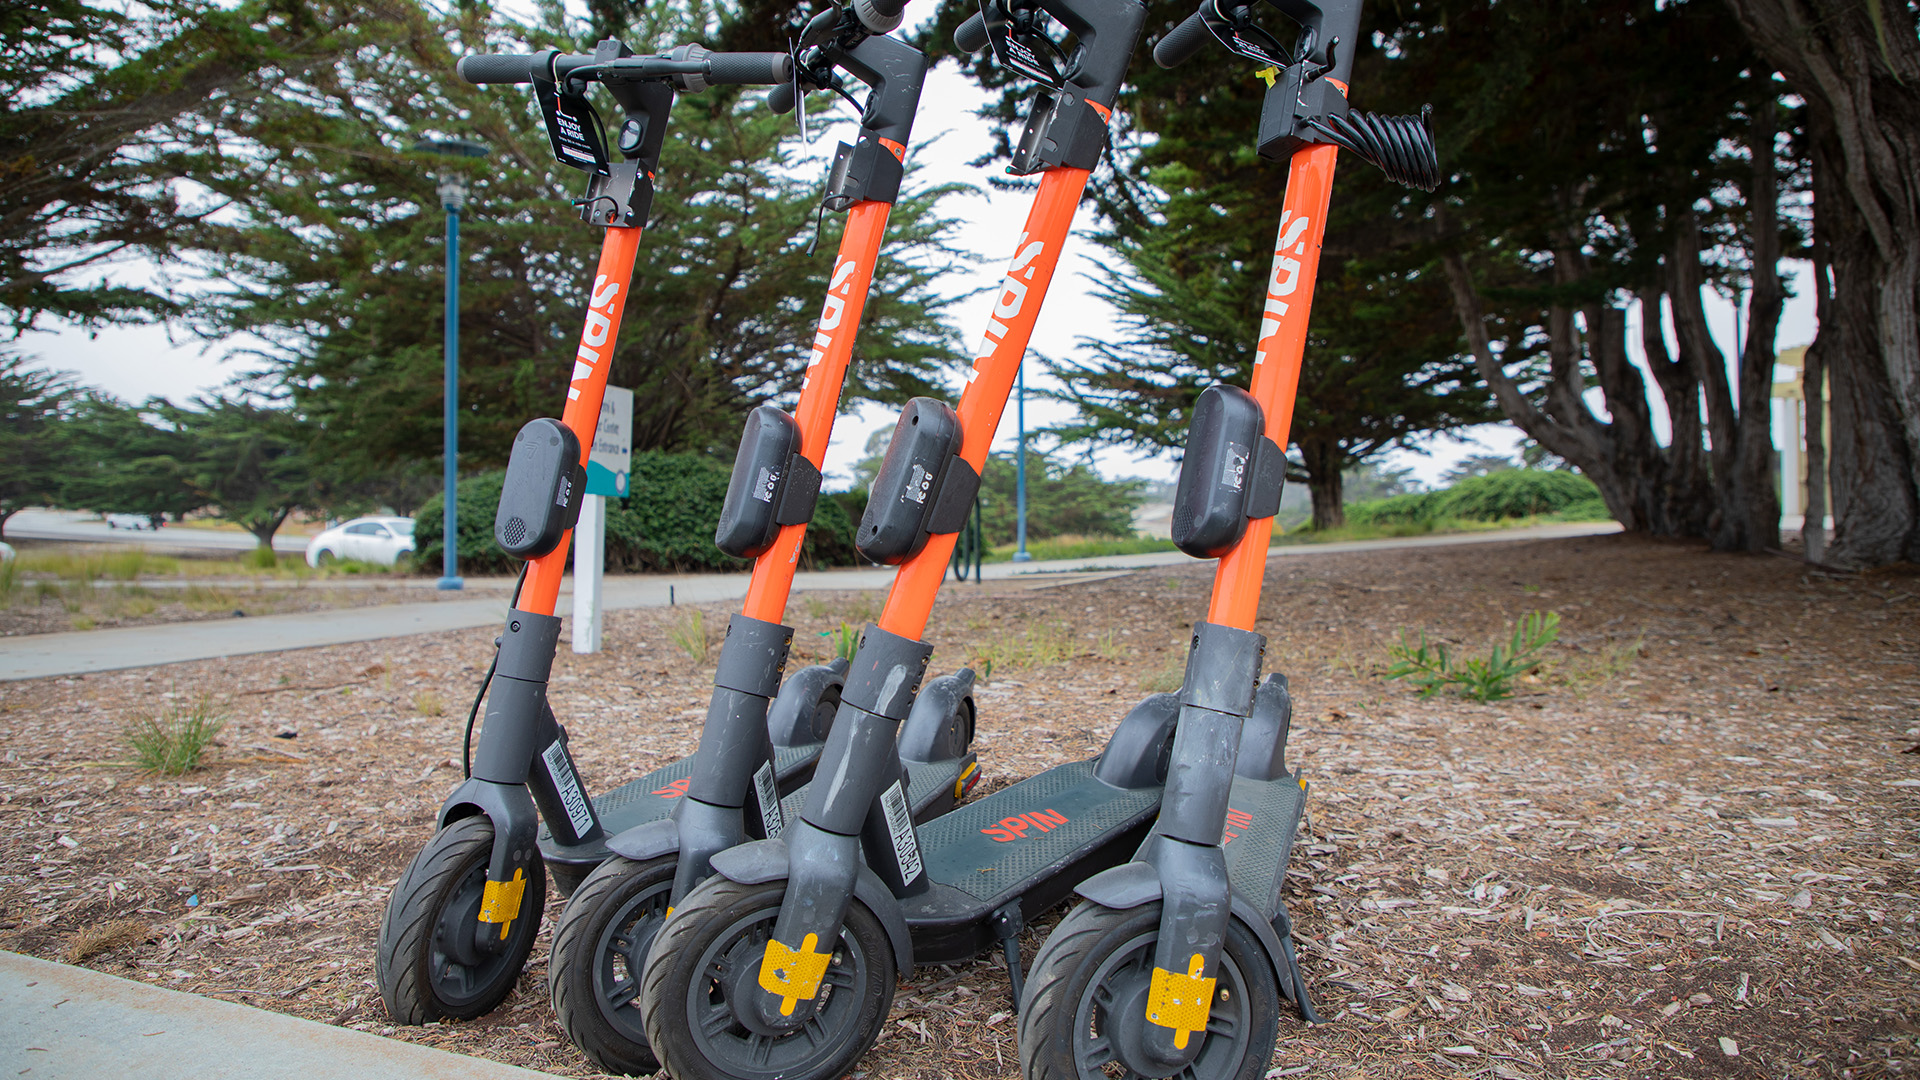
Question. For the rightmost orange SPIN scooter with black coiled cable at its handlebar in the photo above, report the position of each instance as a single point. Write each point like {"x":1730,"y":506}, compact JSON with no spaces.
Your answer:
{"x":1176,"y":964}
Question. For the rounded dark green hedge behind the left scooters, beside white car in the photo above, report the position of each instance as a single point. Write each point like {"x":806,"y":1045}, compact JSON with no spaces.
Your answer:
{"x":667,"y":524}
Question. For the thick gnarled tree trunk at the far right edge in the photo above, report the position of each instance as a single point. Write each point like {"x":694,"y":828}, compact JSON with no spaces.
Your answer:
{"x":1858,"y":64}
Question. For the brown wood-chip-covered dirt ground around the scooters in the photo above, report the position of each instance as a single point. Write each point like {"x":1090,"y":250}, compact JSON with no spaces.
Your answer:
{"x":1689,"y":848}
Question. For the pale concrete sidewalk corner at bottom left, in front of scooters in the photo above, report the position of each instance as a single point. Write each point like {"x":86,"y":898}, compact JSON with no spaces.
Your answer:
{"x":74,"y":1023}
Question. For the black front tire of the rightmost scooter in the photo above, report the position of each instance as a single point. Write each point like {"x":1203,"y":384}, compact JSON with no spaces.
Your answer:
{"x":1061,"y":1019}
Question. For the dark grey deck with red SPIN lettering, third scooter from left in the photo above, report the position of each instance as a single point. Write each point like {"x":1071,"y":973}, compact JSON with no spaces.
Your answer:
{"x":1026,"y":847}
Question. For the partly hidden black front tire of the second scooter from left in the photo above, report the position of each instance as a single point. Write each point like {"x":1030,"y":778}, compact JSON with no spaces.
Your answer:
{"x":594,"y":971}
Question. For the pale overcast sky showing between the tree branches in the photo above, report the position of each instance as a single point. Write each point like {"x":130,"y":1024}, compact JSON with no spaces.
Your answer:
{"x":139,"y":362}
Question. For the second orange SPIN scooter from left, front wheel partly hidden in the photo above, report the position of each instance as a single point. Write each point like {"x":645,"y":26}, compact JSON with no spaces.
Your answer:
{"x":732,"y":793}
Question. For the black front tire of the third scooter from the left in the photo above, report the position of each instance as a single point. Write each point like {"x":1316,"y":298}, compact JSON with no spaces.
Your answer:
{"x":683,"y":966}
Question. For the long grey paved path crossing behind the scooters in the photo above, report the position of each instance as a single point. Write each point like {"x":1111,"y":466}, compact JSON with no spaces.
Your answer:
{"x":39,"y":656}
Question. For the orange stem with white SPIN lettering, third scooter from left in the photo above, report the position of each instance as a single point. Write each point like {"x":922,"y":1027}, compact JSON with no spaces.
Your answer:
{"x":992,"y":380}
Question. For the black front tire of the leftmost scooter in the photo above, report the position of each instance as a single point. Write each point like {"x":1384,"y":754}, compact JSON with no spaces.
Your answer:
{"x":418,"y":979}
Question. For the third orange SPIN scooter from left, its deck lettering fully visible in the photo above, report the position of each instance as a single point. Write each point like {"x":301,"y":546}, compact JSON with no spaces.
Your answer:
{"x":784,"y":962}
